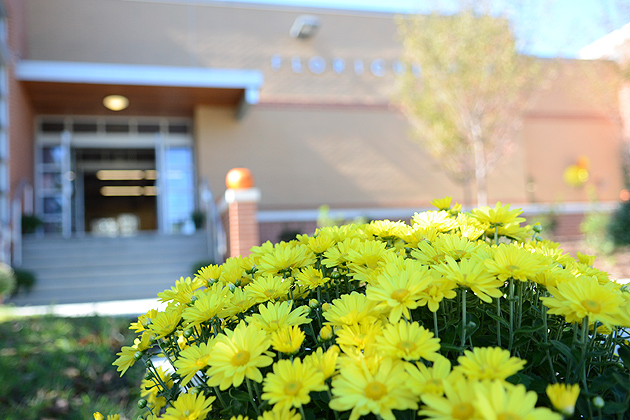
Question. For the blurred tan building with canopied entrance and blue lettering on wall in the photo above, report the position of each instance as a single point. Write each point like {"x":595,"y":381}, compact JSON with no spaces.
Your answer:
{"x":214,"y":85}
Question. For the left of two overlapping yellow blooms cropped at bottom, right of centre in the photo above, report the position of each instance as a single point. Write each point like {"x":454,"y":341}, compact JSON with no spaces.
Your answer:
{"x":458,"y":402}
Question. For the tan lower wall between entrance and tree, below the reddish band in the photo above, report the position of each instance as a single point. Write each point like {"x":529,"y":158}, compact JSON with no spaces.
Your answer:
{"x":306,"y":157}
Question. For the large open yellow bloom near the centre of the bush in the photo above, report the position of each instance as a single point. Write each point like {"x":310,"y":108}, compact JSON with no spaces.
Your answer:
{"x":400,"y":288}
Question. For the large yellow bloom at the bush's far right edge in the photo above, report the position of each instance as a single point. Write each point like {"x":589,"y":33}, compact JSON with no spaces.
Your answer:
{"x":585,"y":297}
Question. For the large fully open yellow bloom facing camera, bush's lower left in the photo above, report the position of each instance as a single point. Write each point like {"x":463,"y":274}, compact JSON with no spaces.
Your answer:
{"x":238,"y":354}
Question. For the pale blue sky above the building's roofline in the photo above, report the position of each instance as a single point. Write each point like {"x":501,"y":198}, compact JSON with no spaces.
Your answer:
{"x":545,"y":28}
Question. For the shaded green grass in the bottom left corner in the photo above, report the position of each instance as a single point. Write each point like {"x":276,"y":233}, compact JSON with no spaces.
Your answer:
{"x":61,"y":368}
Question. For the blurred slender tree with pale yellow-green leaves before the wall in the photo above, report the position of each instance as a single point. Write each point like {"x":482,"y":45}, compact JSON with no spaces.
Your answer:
{"x":465,"y":107}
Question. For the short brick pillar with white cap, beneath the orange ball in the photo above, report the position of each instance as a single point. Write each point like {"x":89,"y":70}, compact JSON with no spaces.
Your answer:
{"x":239,"y":212}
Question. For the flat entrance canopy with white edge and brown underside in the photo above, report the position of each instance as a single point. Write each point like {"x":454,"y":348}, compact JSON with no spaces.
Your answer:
{"x":71,"y":88}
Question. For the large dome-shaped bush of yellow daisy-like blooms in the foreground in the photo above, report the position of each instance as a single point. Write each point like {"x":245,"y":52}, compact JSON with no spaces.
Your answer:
{"x":459,"y":315}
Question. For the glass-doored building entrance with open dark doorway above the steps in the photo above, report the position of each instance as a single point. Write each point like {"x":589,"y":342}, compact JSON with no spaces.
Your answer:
{"x":114,"y":177}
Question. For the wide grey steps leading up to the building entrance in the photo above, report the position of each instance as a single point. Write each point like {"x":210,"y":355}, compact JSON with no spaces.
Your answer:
{"x":97,"y":269}
